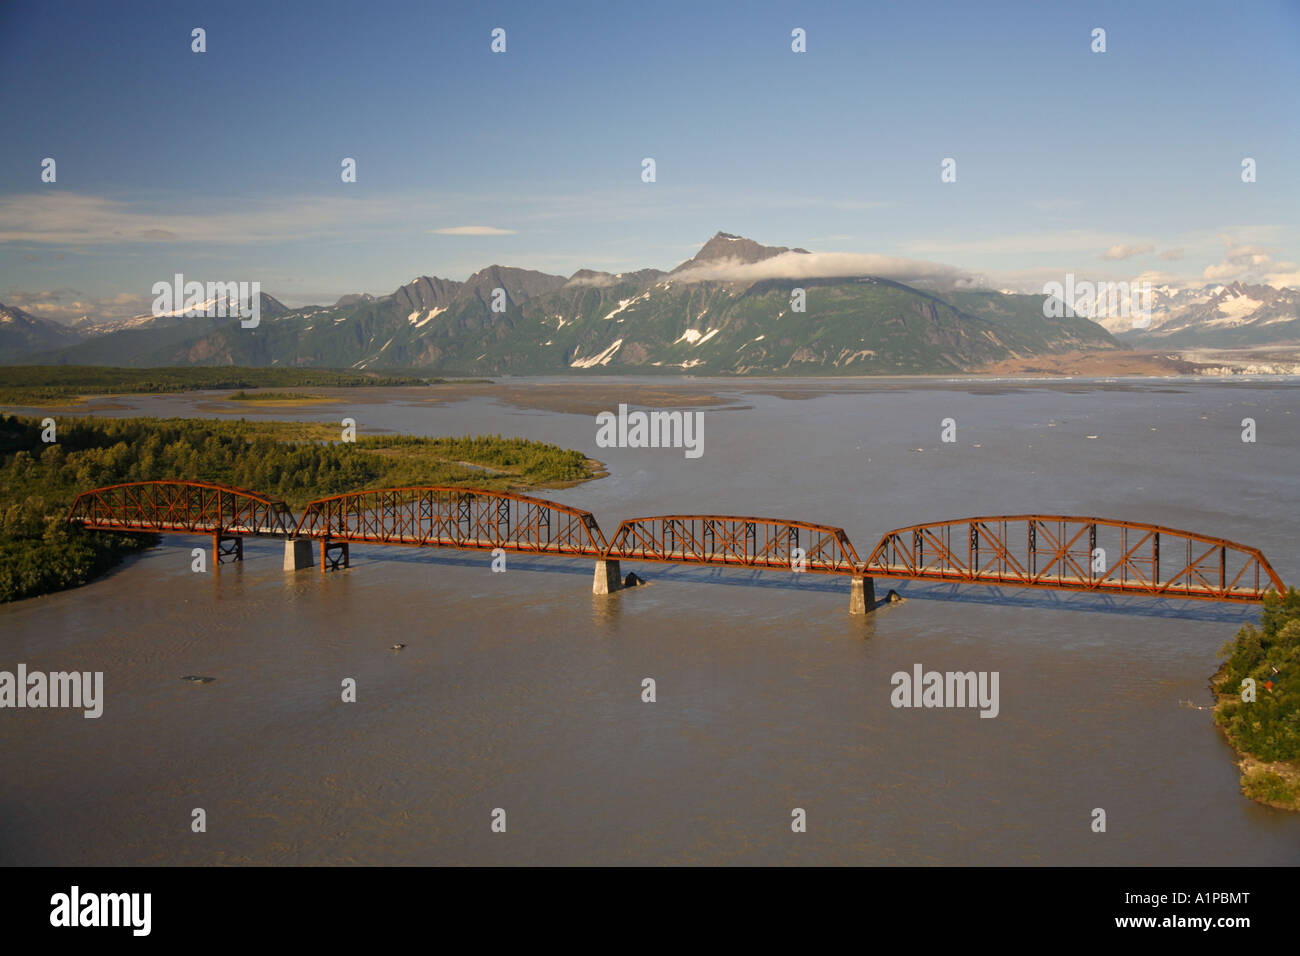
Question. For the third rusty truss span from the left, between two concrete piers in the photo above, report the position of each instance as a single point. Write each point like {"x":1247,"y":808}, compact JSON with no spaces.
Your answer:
{"x":735,"y":542}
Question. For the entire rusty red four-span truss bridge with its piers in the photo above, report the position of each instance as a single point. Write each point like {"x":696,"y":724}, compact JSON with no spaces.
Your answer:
{"x":1056,"y":552}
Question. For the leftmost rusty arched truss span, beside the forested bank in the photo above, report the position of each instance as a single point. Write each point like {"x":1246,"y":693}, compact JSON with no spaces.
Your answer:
{"x":189,"y":508}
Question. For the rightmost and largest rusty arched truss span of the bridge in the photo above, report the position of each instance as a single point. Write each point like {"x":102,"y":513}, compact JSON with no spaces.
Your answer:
{"x":1069,"y":553}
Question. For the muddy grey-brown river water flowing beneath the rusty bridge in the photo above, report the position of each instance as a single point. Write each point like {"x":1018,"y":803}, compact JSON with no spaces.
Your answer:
{"x":523,"y":691}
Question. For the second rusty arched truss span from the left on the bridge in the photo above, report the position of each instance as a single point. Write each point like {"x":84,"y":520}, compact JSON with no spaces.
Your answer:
{"x":449,"y":517}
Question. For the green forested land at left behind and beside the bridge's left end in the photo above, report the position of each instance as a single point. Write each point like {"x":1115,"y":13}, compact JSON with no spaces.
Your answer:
{"x":41,"y":553}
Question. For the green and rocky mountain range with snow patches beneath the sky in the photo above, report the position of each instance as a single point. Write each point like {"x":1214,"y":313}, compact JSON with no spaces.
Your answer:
{"x":697,"y":318}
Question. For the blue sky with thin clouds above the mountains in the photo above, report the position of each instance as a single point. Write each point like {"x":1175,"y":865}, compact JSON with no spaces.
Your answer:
{"x":226,"y":166}
